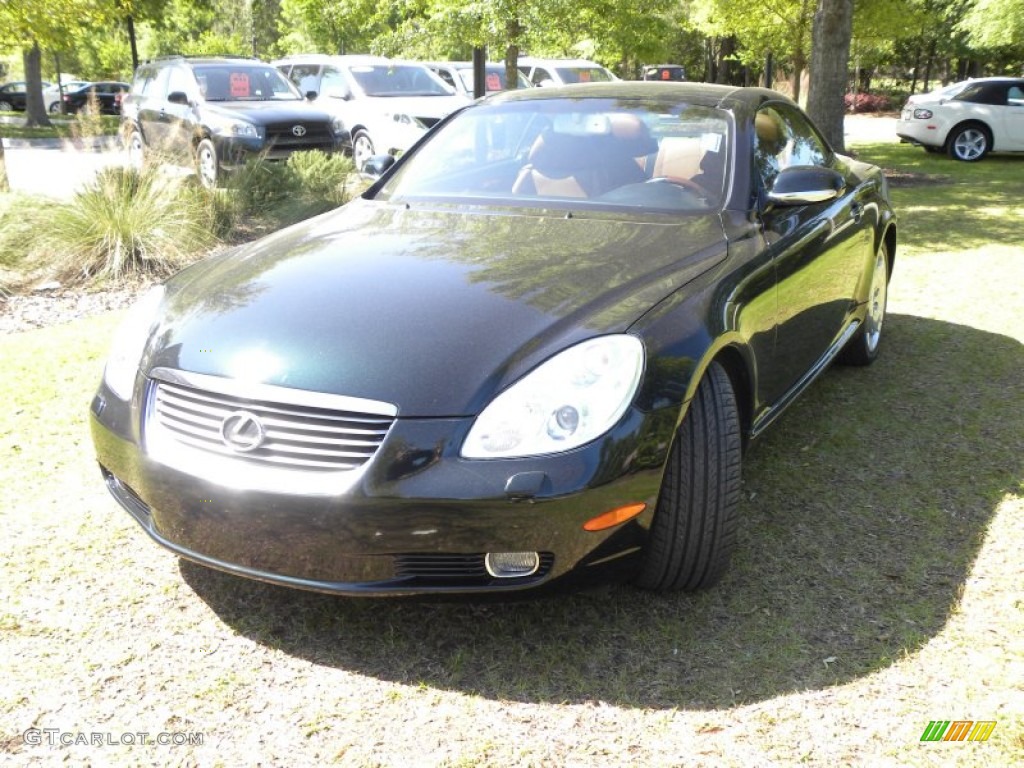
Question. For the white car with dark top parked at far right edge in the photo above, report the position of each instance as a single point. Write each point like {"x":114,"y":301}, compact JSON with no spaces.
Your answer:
{"x":987,"y":115}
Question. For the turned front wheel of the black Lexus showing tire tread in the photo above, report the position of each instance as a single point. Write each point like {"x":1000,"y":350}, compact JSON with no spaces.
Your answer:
{"x":695,"y":528}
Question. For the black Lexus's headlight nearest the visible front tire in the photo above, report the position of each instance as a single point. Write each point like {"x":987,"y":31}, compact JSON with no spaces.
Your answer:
{"x":567,"y":402}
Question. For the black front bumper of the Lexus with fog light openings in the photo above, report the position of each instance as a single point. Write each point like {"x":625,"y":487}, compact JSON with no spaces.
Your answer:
{"x":420,"y":520}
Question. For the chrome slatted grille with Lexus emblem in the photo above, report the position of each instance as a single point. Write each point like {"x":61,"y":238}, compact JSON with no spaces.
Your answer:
{"x":297,"y":432}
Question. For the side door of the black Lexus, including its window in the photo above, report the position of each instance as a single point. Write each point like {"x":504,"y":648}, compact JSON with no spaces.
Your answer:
{"x":821,"y":251}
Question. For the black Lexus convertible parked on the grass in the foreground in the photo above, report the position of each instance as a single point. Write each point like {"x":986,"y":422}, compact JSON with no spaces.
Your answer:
{"x":533,"y":351}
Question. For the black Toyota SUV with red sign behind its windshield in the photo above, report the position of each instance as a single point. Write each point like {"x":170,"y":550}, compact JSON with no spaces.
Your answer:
{"x":217,"y":112}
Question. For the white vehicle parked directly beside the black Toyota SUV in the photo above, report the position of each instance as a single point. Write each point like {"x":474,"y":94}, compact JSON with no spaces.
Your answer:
{"x":386,"y":105}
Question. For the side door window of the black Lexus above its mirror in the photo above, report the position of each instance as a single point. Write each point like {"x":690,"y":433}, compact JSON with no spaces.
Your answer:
{"x":784,"y":138}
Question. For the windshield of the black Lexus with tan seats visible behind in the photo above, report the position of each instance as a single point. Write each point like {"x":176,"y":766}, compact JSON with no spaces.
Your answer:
{"x":660,"y":156}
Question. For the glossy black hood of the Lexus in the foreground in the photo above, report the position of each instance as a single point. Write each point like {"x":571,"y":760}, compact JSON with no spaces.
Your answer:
{"x":432,"y":310}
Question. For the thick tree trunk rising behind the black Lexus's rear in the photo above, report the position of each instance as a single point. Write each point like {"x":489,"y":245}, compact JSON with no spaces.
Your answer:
{"x":831,"y":38}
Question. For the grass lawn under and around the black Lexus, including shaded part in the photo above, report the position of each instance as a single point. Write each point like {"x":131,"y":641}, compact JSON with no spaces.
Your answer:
{"x":877,"y":588}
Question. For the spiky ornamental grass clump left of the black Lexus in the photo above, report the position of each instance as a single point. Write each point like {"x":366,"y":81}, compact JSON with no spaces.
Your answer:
{"x":126,"y":223}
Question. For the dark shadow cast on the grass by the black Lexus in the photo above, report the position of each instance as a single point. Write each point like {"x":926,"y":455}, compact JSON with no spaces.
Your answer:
{"x":864,"y":510}
